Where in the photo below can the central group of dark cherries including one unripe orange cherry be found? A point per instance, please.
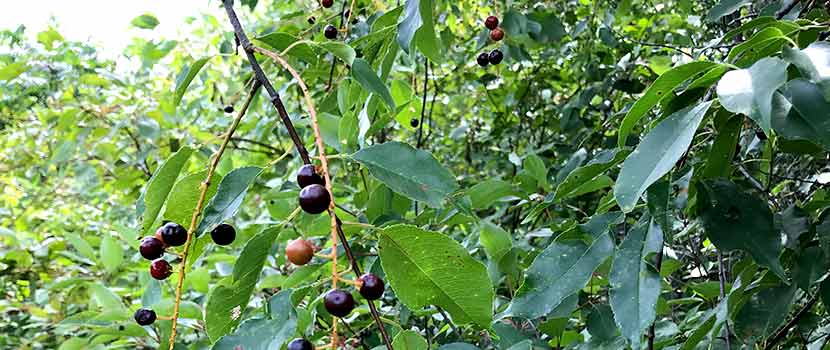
(314, 199)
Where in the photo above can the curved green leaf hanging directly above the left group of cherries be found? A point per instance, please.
(159, 186)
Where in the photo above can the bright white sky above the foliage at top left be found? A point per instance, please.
(105, 23)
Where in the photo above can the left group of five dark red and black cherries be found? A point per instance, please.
(152, 248)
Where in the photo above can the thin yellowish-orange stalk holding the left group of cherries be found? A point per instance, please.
(196, 212)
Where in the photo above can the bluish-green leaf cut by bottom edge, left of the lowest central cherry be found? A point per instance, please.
(259, 334)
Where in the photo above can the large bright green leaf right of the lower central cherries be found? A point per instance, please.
(429, 268)
